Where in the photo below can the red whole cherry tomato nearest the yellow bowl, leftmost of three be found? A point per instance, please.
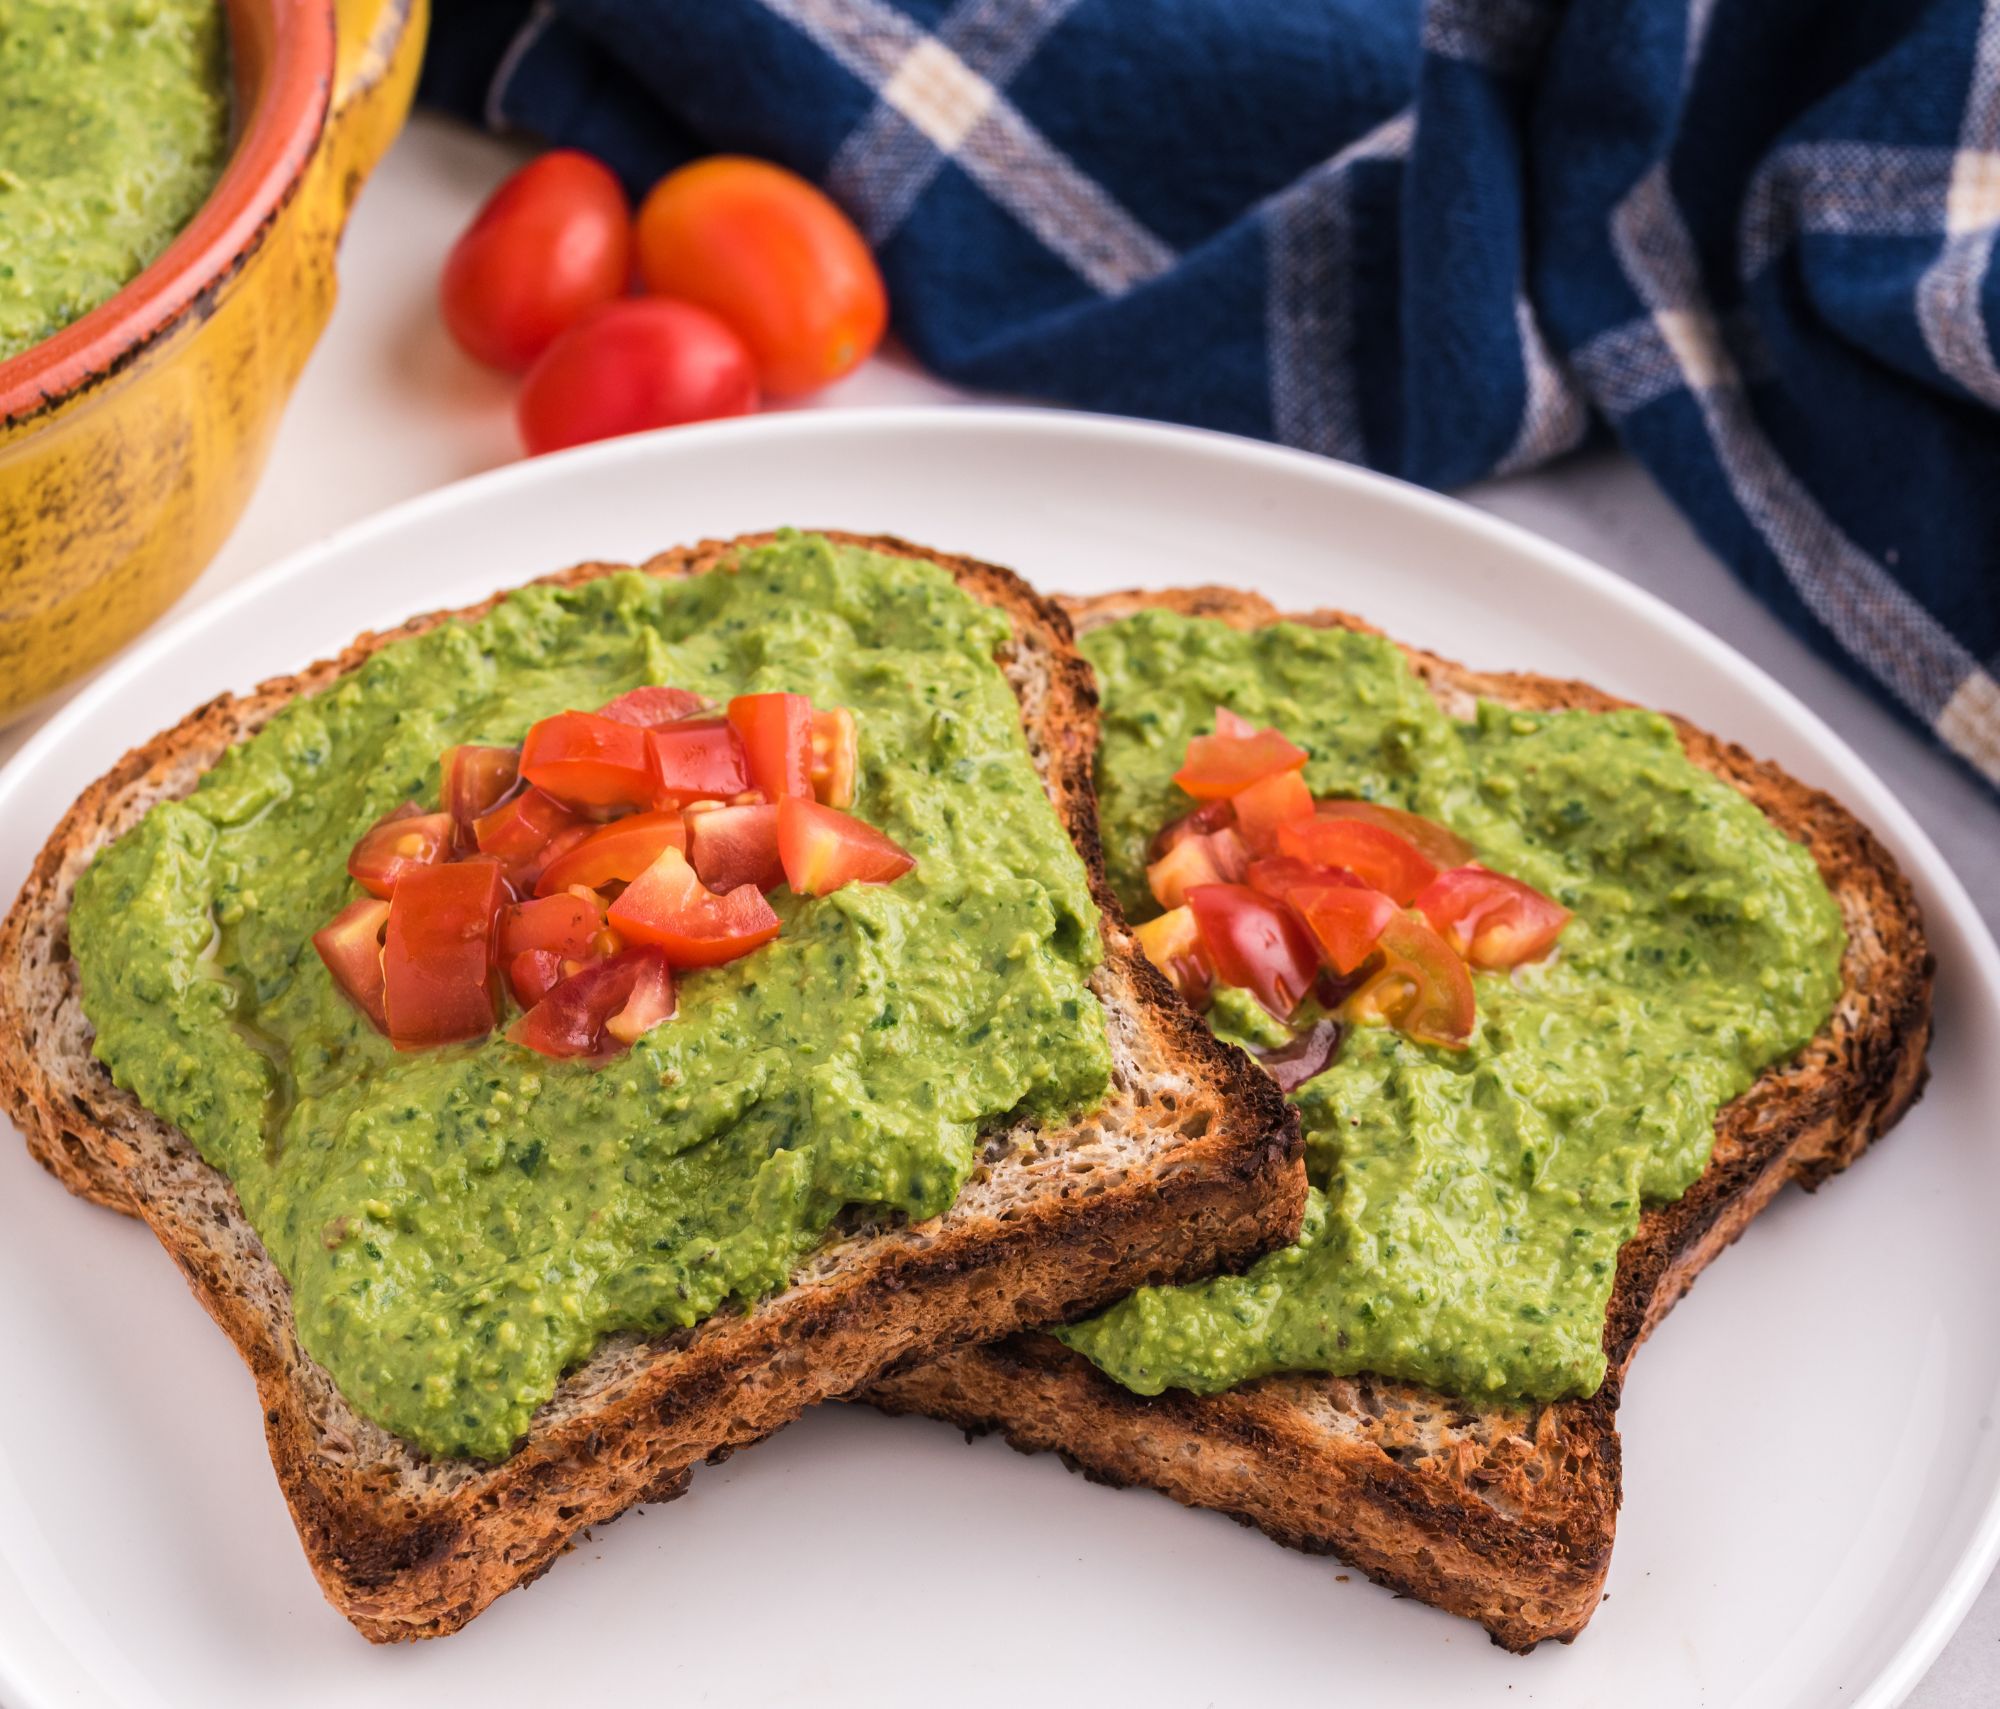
(551, 243)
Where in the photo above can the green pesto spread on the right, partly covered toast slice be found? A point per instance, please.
(1469, 1206)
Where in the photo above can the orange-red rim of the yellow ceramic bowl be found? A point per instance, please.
(281, 79)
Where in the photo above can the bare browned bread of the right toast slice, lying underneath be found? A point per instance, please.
(1501, 1514)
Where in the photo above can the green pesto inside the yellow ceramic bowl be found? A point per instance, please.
(115, 123)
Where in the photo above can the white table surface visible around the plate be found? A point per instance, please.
(389, 409)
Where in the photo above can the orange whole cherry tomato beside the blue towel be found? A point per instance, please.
(771, 255)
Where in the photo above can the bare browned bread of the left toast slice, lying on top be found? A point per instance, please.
(1191, 1166)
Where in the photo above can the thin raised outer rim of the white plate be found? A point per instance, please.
(1883, 809)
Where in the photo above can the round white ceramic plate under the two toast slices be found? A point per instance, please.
(1811, 1462)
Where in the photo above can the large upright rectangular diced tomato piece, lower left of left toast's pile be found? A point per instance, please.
(439, 954)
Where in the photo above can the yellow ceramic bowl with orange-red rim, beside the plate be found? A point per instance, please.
(131, 441)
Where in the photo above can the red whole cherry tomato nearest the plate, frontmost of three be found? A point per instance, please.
(629, 367)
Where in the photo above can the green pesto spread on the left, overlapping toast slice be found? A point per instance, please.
(463, 1226)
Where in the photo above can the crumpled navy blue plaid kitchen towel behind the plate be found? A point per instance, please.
(1751, 239)
